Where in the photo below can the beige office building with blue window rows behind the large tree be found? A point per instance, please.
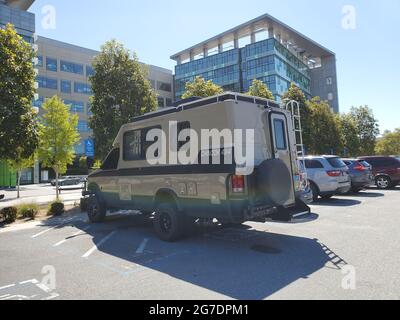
(64, 70)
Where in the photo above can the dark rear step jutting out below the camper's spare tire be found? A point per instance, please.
(299, 212)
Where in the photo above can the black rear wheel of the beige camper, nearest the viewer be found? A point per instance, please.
(168, 222)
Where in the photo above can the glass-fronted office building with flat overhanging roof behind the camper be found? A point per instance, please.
(264, 49)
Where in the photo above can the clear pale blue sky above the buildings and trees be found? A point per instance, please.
(367, 56)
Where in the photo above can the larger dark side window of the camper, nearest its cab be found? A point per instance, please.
(135, 144)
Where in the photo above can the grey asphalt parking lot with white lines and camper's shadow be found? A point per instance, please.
(350, 252)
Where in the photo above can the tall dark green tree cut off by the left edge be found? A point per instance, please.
(18, 128)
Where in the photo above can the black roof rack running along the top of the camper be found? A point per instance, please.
(201, 102)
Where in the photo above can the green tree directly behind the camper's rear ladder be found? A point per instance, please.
(296, 94)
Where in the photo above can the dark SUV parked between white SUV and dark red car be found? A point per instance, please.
(360, 173)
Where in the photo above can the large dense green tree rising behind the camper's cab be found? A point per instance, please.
(121, 92)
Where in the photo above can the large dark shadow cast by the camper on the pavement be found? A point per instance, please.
(239, 263)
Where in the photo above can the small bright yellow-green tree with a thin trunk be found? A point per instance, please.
(57, 137)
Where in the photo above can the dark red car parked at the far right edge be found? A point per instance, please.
(386, 171)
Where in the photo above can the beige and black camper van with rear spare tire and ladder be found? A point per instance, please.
(248, 176)
